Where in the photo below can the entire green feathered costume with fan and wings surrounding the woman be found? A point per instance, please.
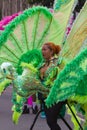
(30, 31)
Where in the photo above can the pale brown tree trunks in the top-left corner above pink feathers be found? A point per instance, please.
(9, 7)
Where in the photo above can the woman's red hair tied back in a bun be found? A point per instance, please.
(56, 48)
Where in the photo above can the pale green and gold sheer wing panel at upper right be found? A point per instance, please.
(76, 39)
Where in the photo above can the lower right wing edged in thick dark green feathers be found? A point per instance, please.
(72, 81)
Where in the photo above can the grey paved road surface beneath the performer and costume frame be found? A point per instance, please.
(25, 120)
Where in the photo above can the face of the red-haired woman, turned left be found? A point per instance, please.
(46, 52)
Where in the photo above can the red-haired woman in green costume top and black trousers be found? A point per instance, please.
(48, 72)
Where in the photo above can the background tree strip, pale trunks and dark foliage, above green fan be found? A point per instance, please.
(9, 7)
